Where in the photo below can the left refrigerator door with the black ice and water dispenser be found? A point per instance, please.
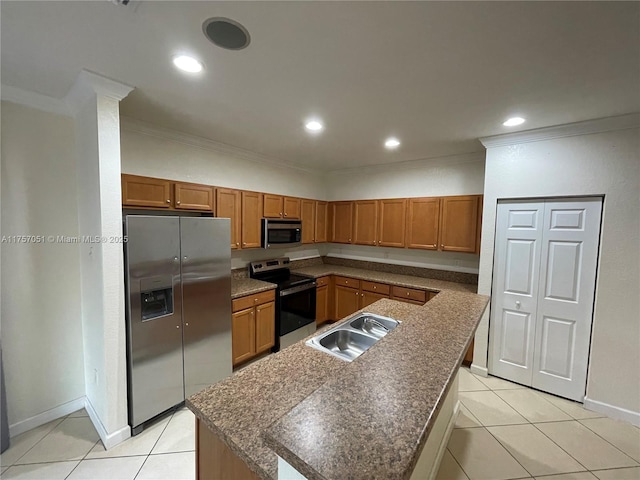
(154, 335)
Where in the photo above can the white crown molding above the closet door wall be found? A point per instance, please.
(599, 125)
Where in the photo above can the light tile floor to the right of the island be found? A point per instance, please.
(506, 431)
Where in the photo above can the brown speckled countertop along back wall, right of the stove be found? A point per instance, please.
(408, 281)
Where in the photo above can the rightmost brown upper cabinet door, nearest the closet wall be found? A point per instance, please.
(459, 224)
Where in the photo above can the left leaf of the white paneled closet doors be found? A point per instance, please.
(514, 300)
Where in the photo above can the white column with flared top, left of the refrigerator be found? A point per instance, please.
(94, 101)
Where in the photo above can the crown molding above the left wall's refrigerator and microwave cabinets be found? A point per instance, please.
(139, 126)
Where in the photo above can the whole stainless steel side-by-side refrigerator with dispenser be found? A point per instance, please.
(178, 294)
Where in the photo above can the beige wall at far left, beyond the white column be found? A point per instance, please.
(41, 322)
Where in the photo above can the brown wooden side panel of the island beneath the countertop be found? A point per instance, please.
(215, 460)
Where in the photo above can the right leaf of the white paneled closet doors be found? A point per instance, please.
(565, 296)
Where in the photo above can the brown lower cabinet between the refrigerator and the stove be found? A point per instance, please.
(252, 326)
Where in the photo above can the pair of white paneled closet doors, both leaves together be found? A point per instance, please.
(544, 282)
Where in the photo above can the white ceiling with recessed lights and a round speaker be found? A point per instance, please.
(437, 75)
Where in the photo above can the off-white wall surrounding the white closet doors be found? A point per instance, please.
(598, 164)
